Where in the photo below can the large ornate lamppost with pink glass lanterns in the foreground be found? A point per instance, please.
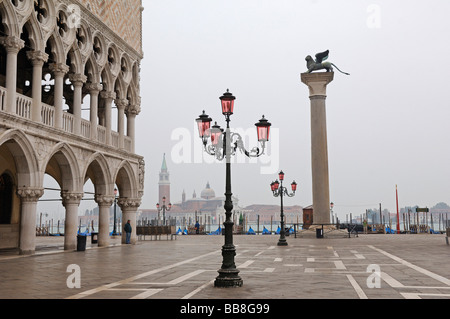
(224, 146)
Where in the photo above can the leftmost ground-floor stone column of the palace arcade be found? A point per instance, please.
(29, 197)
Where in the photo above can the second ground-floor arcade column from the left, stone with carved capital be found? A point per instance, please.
(71, 201)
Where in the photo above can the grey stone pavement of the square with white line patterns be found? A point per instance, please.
(410, 266)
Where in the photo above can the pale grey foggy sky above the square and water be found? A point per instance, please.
(387, 122)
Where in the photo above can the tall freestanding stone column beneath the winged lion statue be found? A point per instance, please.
(317, 84)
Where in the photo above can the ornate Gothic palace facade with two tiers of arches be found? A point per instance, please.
(64, 66)
